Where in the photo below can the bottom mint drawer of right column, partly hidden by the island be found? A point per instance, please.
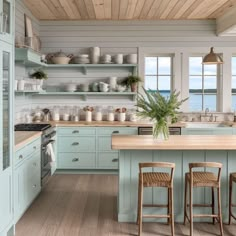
(108, 160)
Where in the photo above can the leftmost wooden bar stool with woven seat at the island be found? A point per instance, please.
(156, 179)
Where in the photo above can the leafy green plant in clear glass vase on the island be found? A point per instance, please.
(159, 109)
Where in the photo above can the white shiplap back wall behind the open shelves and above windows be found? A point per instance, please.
(121, 37)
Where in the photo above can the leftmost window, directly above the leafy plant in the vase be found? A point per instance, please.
(159, 74)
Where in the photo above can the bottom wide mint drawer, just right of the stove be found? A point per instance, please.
(76, 160)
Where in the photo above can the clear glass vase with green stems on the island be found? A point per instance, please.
(160, 129)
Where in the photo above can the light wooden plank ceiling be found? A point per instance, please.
(128, 9)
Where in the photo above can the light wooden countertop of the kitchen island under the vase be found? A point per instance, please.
(175, 142)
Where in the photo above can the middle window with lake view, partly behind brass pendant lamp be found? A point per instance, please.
(202, 85)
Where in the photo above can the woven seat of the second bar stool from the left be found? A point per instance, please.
(203, 179)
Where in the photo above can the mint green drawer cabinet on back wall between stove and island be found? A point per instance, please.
(89, 147)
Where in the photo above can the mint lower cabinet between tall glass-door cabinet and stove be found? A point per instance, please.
(27, 176)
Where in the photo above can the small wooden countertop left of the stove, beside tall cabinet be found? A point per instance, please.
(24, 137)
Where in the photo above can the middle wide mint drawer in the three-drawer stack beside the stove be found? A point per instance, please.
(76, 144)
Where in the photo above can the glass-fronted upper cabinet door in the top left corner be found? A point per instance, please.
(7, 20)
